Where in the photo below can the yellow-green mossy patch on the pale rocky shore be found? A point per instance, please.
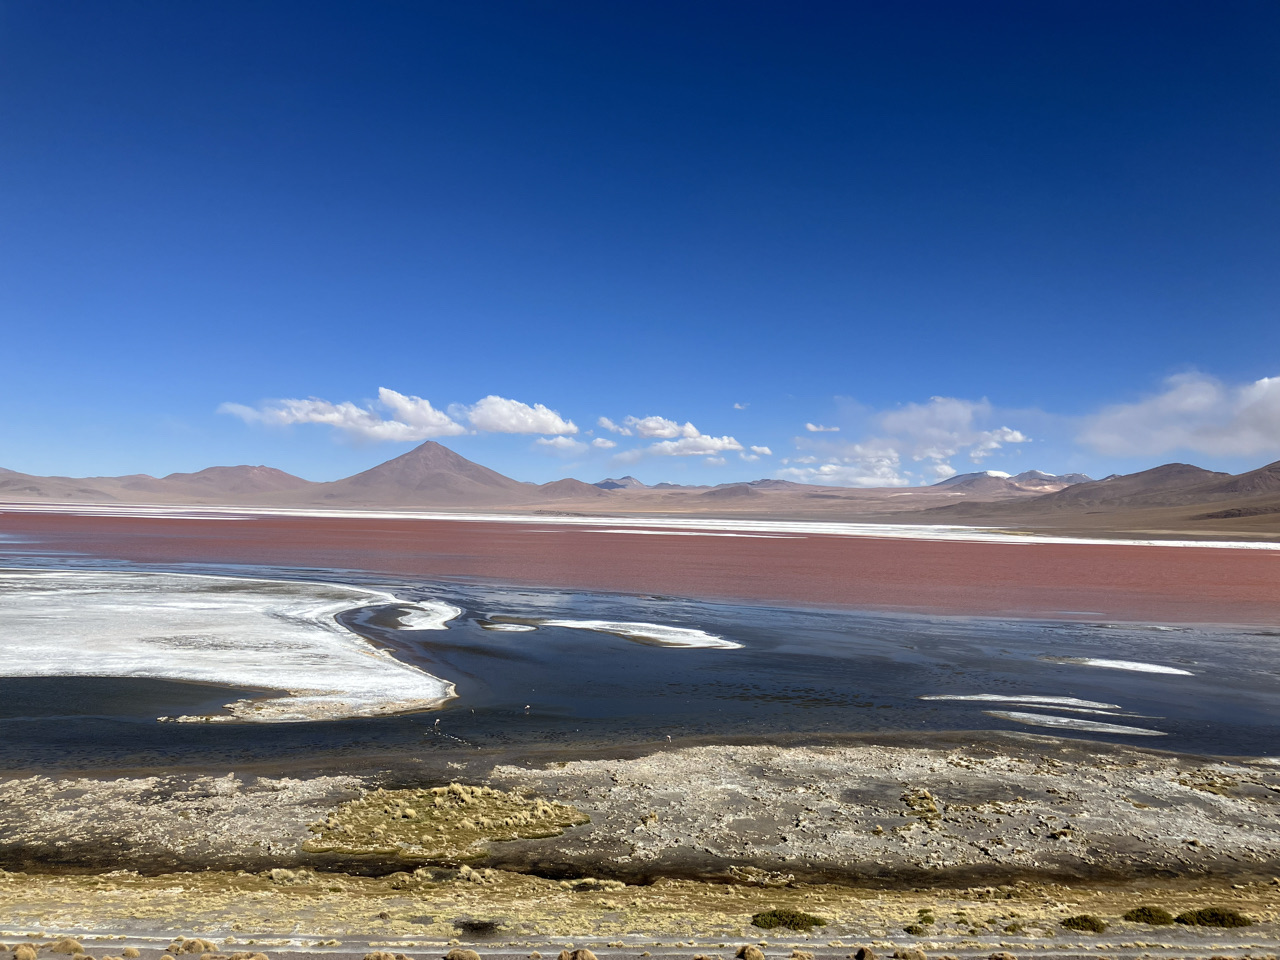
(446, 824)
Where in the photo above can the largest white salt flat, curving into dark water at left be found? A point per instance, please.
(276, 636)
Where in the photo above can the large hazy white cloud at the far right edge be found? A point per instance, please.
(1194, 413)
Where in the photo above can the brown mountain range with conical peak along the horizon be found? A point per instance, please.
(1167, 500)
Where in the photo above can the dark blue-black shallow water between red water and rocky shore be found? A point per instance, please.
(798, 673)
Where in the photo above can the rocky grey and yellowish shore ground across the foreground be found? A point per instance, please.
(948, 844)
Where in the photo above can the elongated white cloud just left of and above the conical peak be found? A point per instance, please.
(413, 418)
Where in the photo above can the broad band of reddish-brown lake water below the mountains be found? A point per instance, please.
(1121, 582)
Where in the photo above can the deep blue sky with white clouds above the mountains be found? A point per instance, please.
(970, 236)
